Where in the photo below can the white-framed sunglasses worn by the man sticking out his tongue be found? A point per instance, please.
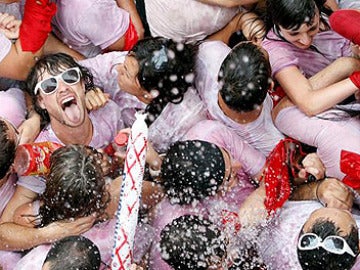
(48, 86)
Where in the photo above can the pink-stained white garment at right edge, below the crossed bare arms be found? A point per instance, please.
(330, 137)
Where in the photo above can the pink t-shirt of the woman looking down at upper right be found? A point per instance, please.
(329, 44)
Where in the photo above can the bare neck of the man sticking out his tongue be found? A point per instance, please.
(74, 135)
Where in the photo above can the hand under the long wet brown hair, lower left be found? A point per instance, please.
(60, 229)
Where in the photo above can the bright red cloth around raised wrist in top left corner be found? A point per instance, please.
(36, 24)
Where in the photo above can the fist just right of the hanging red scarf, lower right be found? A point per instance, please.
(312, 165)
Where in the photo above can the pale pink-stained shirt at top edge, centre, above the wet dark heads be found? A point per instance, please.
(186, 20)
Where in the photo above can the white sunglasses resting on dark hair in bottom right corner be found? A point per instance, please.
(333, 244)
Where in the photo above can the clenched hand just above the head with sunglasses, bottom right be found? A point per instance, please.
(333, 193)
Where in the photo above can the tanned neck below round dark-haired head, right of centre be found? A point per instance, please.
(239, 117)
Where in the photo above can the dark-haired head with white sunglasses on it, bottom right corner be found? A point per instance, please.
(320, 258)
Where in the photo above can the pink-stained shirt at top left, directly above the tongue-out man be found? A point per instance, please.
(89, 26)
